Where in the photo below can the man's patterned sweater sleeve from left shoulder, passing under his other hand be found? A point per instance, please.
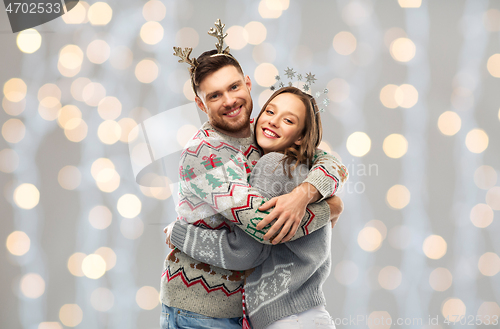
(213, 173)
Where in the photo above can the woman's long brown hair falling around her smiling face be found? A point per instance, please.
(311, 133)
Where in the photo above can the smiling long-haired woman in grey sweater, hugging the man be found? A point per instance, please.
(283, 289)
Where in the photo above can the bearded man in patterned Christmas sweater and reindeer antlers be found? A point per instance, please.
(214, 193)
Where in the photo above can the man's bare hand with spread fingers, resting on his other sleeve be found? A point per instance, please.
(289, 209)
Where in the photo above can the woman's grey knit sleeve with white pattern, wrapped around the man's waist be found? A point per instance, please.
(230, 250)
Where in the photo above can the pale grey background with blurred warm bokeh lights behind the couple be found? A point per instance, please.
(414, 115)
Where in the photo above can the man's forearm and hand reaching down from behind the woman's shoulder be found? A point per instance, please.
(325, 178)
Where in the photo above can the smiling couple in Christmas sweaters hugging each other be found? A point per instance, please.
(235, 257)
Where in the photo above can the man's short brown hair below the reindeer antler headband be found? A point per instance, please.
(208, 64)
